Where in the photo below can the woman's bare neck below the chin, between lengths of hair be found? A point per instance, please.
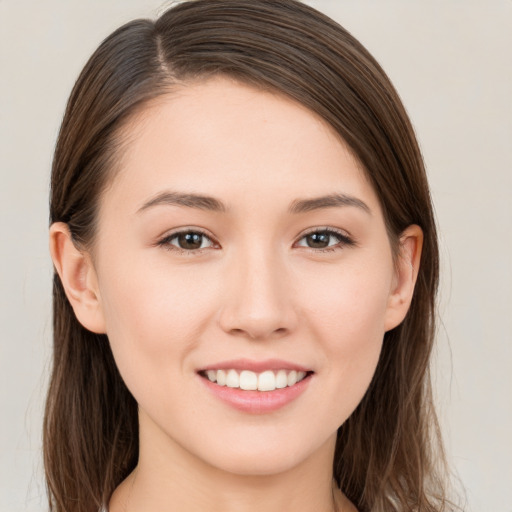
(168, 477)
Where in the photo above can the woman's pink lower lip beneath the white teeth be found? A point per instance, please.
(257, 402)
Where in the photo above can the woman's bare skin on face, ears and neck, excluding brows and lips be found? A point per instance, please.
(256, 290)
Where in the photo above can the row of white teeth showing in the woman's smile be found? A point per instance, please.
(248, 380)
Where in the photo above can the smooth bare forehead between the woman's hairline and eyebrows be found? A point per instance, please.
(233, 141)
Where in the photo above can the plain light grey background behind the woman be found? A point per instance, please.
(451, 61)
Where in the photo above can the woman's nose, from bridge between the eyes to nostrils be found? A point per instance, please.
(258, 300)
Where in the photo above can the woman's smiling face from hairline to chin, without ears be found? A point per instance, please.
(240, 235)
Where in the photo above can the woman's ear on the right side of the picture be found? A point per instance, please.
(406, 273)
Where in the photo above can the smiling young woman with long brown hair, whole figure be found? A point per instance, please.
(246, 269)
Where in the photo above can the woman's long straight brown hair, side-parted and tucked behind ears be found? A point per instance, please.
(388, 455)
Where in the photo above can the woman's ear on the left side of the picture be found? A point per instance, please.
(78, 278)
